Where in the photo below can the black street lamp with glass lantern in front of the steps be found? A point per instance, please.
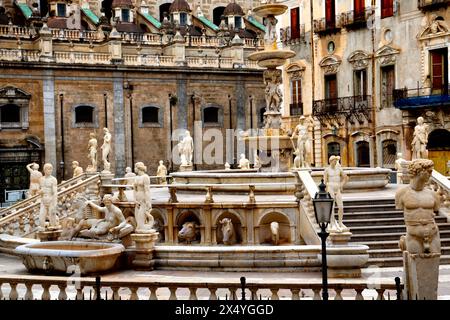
(323, 206)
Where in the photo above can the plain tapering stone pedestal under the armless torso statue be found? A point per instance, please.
(421, 276)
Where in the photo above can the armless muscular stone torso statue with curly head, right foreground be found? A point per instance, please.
(419, 205)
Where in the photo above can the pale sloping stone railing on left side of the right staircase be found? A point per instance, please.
(306, 190)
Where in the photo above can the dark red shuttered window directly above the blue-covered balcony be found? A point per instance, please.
(439, 70)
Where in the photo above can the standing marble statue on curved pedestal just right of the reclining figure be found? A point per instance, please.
(141, 187)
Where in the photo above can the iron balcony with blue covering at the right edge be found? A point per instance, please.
(406, 99)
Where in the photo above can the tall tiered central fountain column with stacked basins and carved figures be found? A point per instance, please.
(274, 145)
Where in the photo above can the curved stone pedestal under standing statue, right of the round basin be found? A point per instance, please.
(145, 245)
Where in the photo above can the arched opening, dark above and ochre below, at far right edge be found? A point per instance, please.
(439, 149)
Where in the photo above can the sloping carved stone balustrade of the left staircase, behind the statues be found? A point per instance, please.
(23, 221)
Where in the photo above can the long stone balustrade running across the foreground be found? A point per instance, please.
(30, 287)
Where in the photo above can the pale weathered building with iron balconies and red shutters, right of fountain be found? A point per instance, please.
(365, 73)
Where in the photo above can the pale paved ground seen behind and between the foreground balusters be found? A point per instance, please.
(372, 275)
